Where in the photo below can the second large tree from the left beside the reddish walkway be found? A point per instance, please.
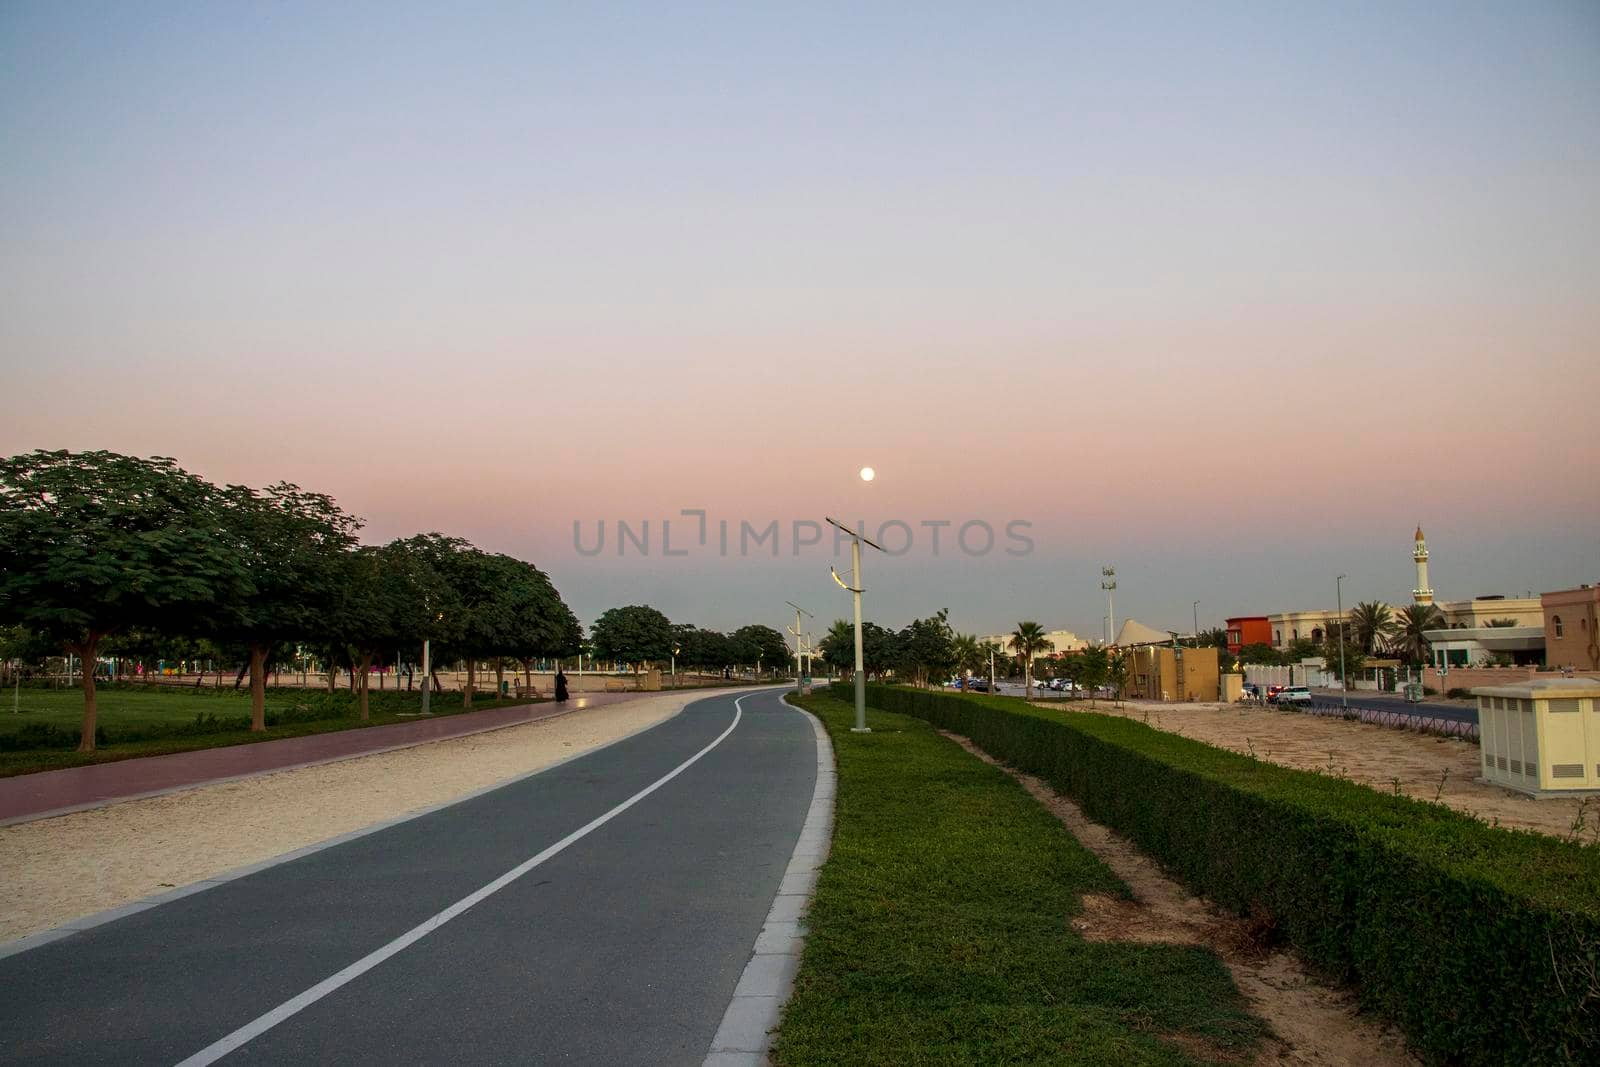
(294, 546)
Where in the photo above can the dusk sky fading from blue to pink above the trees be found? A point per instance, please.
(1226, 297)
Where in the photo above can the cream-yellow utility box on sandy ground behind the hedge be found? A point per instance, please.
(1543, 737)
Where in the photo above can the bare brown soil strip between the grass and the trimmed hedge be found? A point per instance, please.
(1313, 1025)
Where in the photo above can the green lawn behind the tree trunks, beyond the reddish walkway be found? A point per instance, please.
(153, 721)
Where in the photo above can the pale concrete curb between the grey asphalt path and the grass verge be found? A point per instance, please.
(745, 1036)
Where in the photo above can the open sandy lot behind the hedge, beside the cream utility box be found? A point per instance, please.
(1367, 754)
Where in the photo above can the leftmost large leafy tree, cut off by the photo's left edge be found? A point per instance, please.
(98, 543)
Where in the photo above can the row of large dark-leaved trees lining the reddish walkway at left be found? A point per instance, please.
(100, 545)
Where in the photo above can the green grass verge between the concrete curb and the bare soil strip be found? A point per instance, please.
(942, 933)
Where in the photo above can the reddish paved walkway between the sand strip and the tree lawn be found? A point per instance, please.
(44, 794)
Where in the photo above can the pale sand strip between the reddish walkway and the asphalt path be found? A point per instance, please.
(54, 871)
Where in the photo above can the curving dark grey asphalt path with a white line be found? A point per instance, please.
(598, 913)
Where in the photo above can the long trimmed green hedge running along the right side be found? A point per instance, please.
(1484, 945)
